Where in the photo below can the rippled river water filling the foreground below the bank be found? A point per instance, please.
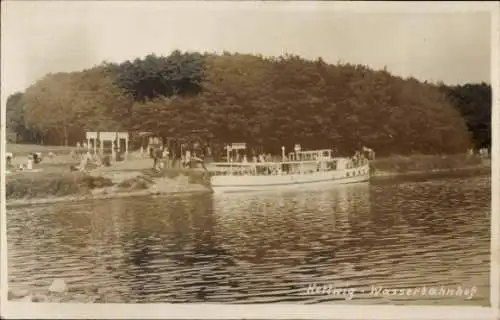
(264, 248)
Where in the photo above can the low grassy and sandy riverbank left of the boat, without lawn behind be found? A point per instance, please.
(61, 185)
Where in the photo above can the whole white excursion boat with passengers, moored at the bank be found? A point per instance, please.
(300, 169)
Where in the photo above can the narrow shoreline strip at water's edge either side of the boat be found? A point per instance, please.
(112, 193)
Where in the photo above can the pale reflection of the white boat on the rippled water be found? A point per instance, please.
(292, 223)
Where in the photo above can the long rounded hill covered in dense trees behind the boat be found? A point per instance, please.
(266, 102)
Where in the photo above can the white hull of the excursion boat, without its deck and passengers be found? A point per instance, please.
(247, 183)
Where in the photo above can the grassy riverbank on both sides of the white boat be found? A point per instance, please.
(133, 178)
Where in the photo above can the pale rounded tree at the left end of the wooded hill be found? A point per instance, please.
(64, 105)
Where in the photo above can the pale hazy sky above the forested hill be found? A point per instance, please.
(445, 44)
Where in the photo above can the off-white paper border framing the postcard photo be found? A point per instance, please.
(20, 310)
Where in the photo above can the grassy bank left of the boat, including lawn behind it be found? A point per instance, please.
(56, 183)
